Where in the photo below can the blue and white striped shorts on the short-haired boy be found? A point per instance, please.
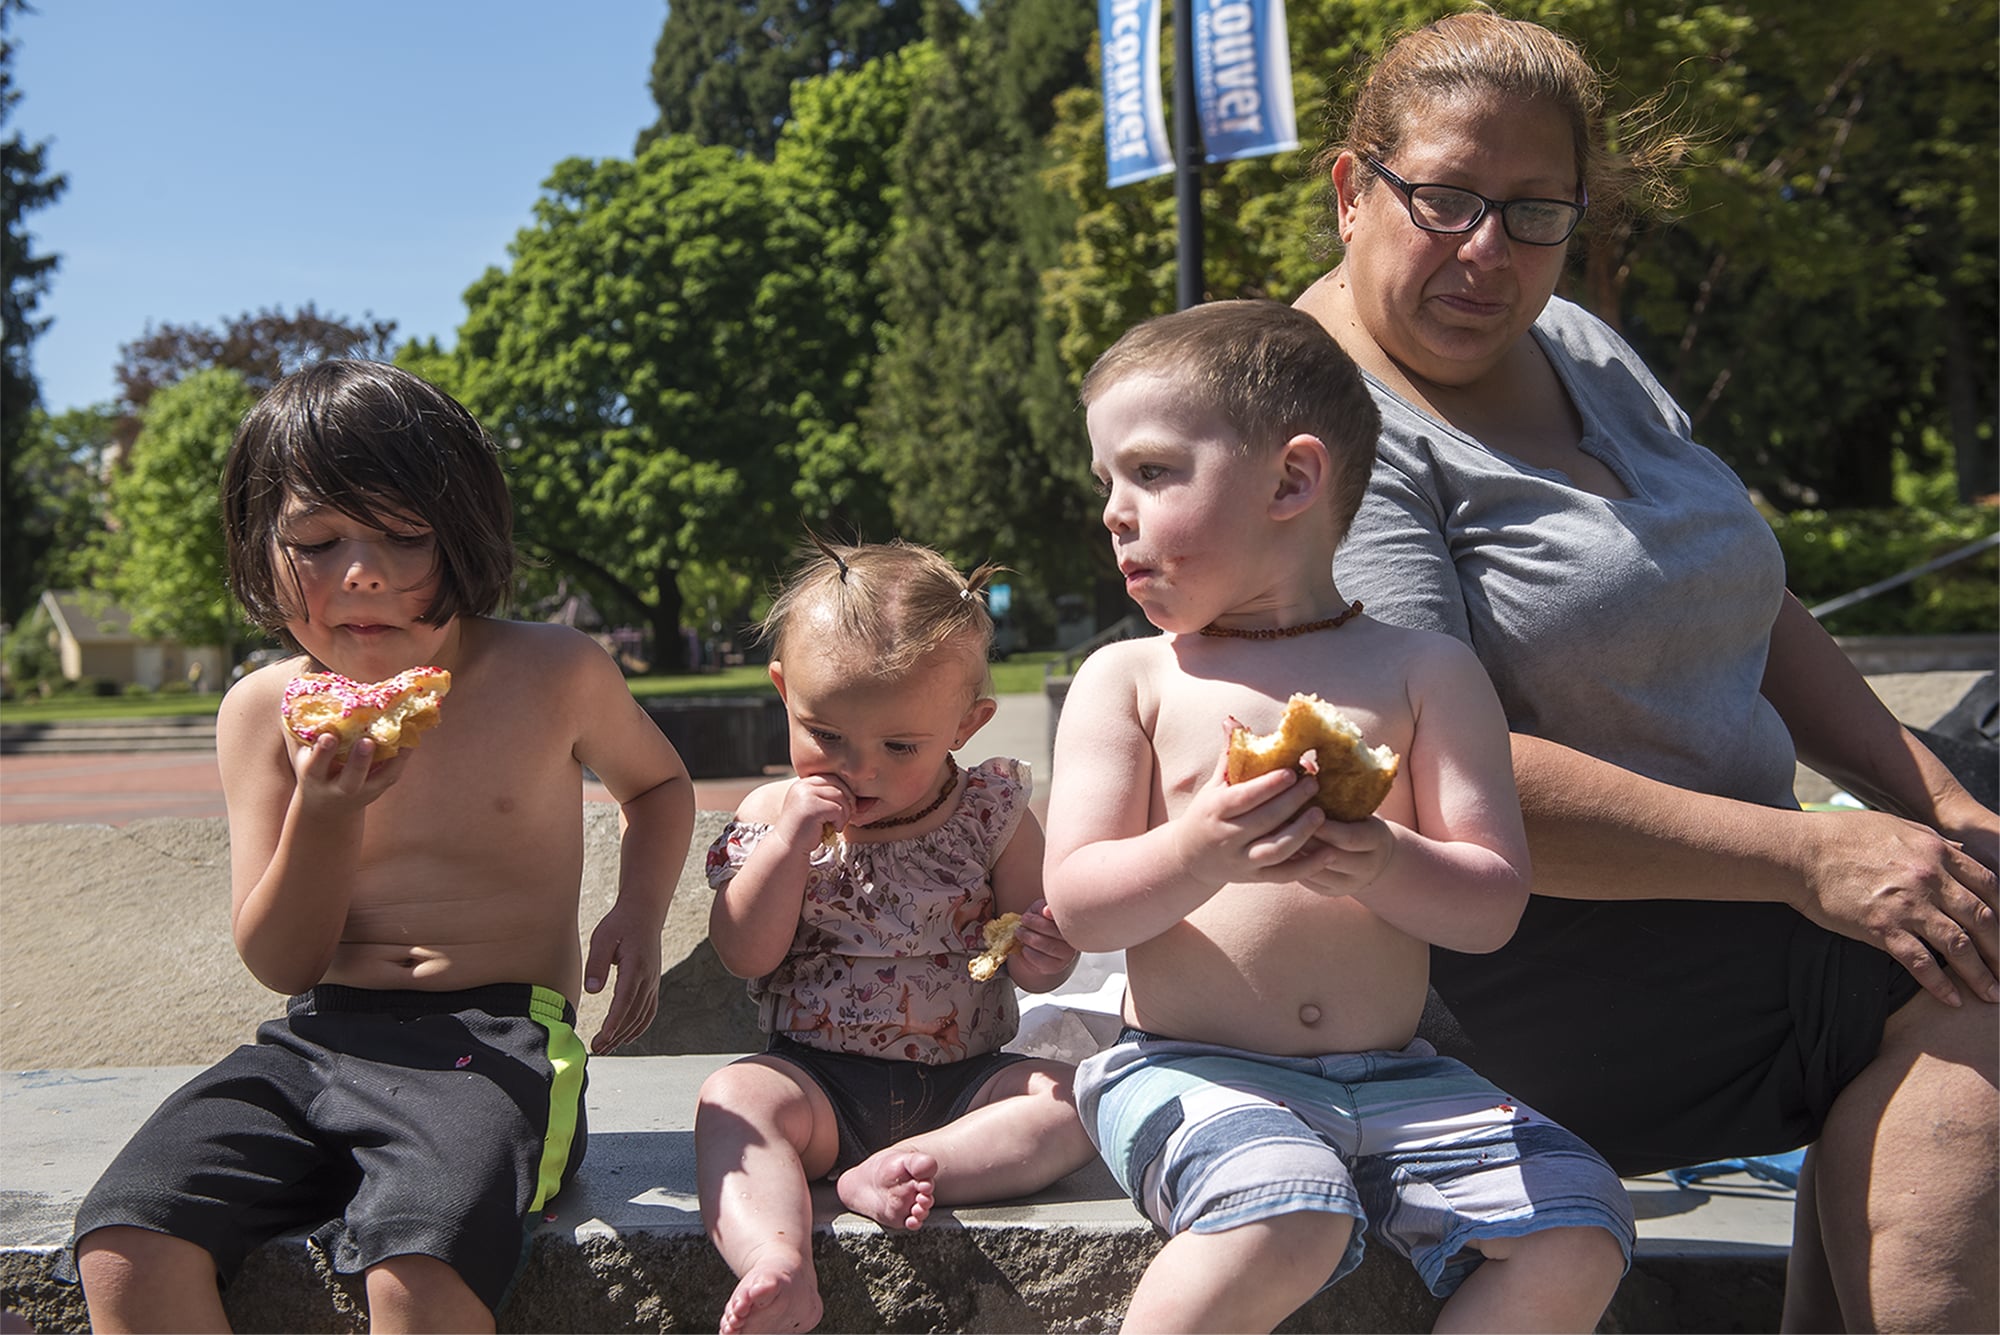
(1417, 1148)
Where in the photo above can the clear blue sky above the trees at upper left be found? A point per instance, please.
(369, 157)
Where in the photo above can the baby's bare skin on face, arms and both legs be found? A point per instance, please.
(867, 750)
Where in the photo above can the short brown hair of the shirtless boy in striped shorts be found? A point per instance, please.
(1271, 371)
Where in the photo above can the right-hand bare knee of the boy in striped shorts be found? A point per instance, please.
(1559, 1280)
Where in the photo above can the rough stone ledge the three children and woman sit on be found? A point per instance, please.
(625, 1248)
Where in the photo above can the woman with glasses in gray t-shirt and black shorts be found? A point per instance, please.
(1705, 972)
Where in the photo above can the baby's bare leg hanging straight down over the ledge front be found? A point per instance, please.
(763, 1132)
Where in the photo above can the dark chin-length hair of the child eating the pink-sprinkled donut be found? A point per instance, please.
(381, 447)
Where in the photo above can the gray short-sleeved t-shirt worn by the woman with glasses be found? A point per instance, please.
(1633, 631)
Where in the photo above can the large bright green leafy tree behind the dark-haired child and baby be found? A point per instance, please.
(679, 353)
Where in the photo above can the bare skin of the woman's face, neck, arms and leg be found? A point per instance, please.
(1445, 325)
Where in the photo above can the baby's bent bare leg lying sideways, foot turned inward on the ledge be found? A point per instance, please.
(1019, 1136)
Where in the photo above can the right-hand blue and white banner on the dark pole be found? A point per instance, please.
(1243, 79)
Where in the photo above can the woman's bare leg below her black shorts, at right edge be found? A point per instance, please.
(1905, 1178)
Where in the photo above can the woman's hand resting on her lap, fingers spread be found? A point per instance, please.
(1911, 892)
